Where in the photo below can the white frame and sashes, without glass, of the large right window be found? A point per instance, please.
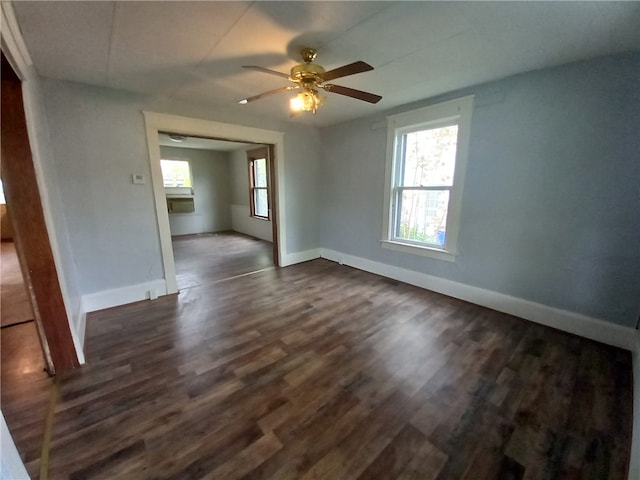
(458, 112)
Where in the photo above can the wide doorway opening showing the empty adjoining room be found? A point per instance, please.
(219, 203)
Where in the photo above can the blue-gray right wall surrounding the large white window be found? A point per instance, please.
(551, 209)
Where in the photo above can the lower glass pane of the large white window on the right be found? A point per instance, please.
(422, 216)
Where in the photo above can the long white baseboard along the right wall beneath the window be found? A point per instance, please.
(578, 324)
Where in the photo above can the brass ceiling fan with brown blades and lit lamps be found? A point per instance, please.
(309, 77)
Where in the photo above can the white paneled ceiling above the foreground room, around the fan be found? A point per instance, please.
(193, 51)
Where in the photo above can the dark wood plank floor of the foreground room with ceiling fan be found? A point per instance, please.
(321, 371)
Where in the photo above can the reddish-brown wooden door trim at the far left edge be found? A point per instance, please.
(30, 231)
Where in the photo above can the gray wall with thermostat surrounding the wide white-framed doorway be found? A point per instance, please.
(98, 141)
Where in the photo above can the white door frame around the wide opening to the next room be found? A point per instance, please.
(157, 122)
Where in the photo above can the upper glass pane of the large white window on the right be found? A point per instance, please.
(430, 157)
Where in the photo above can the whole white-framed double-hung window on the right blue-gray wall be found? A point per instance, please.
(426, 161)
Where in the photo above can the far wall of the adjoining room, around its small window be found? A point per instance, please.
(211, 192)
